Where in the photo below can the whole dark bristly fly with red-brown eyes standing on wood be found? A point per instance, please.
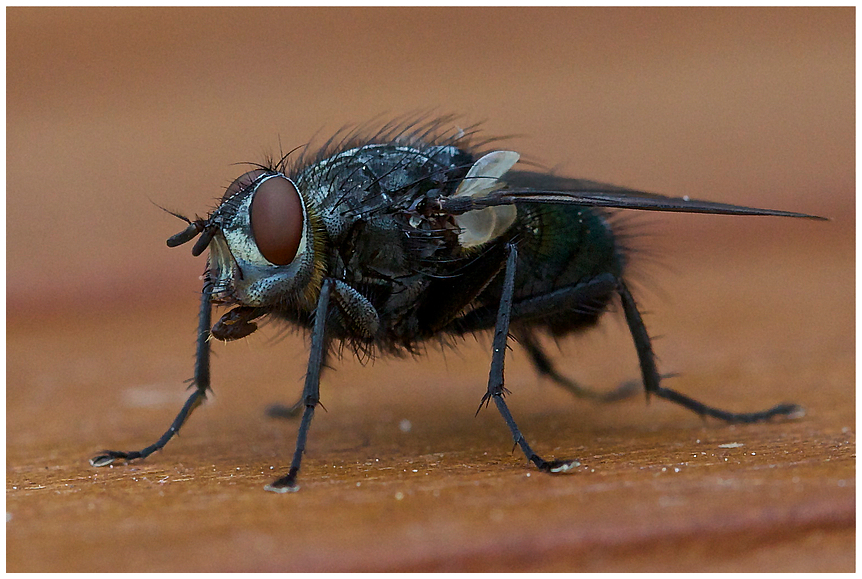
(414, 234)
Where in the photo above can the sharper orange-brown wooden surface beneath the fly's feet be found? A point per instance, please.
(658, 488)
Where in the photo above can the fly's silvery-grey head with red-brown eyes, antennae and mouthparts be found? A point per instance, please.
(262, 254)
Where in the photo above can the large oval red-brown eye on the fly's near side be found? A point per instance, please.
(276, 220)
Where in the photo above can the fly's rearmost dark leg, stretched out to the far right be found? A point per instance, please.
(652, 379)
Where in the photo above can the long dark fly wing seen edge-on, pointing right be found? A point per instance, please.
(530, 187)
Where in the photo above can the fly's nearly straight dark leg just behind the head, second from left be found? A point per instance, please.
(310, 393)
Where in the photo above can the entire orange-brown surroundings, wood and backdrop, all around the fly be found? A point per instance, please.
(110, 109)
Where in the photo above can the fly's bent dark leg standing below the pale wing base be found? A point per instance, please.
(496, 390)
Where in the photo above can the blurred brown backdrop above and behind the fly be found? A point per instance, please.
(112, 110)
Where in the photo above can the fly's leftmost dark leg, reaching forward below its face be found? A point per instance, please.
(201, 382)
